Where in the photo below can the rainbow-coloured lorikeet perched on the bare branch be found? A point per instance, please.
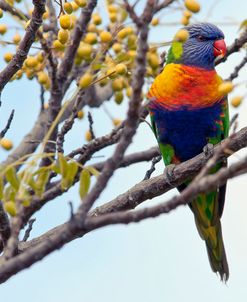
(187, 113)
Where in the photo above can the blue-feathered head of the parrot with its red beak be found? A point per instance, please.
(204, 45)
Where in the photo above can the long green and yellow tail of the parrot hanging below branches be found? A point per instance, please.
(205, 209)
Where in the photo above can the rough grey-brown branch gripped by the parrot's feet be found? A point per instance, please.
(150, 188)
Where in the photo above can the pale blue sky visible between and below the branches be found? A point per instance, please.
(161, 259)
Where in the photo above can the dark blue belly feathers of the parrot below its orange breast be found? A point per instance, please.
(186, 130)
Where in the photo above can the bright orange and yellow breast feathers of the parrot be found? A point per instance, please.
(179, 86)
